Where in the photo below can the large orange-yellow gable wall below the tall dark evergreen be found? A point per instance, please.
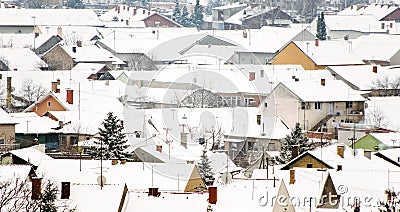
(291, 54)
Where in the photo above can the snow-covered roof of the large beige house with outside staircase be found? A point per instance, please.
(313, 91)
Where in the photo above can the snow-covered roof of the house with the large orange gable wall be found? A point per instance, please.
(329, 52)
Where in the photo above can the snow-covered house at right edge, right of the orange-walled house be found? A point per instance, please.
(378, 49)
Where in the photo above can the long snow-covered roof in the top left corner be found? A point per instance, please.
(29, 17)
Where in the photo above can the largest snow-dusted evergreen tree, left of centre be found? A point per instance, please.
(112, 139)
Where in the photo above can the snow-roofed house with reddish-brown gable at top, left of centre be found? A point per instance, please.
(127, 16)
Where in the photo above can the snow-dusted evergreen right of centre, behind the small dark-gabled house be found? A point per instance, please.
(296, 137)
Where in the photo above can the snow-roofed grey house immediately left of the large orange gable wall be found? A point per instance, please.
(265, 43)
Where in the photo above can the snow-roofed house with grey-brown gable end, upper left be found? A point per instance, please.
(66, 57)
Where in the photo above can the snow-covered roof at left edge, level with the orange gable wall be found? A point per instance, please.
(31, 61)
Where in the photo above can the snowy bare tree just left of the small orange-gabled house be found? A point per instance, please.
(32, 91)
